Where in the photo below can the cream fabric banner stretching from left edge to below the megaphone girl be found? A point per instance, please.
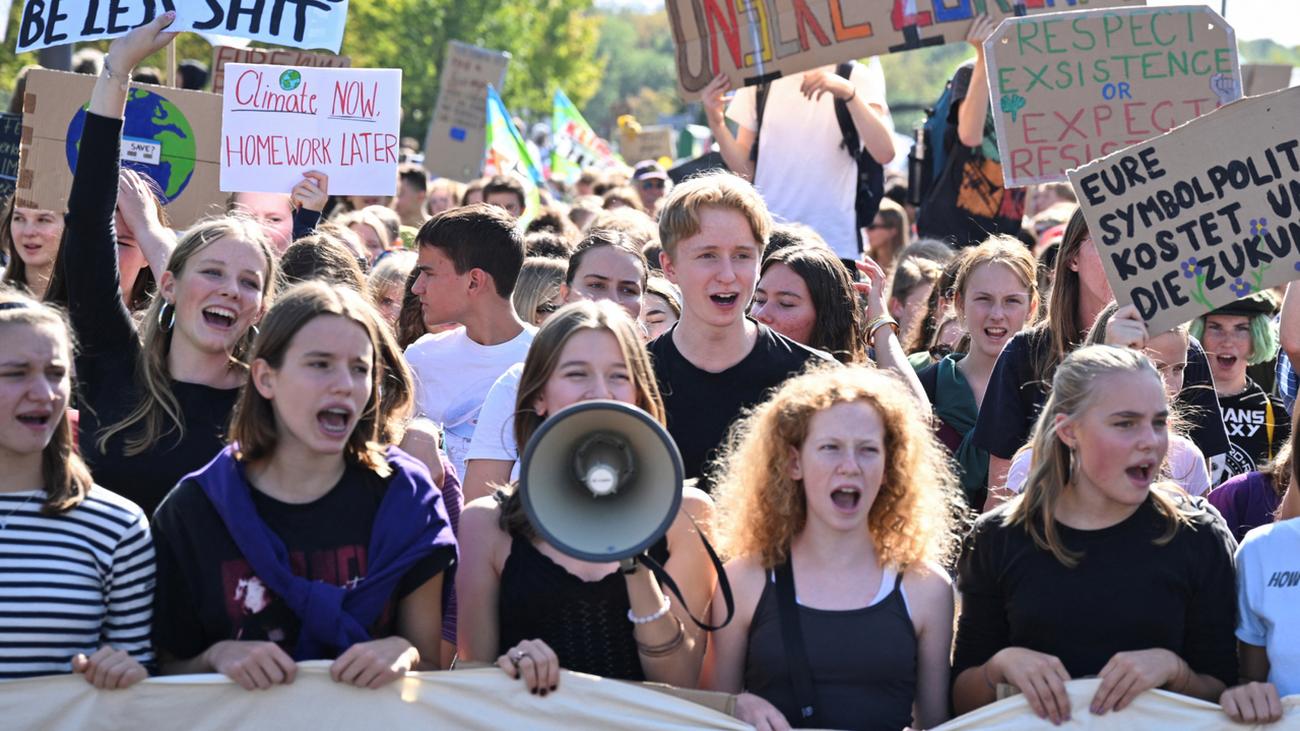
(463, 699)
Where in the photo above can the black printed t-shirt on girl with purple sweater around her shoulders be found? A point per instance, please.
(207, 592)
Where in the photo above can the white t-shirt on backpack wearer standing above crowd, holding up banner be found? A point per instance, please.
(804, 174)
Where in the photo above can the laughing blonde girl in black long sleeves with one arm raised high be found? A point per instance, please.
(155, 397)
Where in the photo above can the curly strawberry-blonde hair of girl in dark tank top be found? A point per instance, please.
(918, 513)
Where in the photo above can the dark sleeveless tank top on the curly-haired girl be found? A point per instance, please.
(864, 663)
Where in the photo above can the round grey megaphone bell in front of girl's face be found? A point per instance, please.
(601, 481)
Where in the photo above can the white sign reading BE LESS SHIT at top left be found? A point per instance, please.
(300, 24)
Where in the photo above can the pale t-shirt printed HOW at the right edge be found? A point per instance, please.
(1268, 599)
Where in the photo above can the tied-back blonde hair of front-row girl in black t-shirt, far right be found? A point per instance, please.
(1073, 390)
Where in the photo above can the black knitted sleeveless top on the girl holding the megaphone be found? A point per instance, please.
(584, 622)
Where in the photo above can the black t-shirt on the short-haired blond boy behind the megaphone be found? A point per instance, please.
(701, 405)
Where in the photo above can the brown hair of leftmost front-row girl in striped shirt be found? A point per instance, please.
(64, 477)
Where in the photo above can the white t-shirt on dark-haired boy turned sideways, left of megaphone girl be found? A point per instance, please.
(453, 375)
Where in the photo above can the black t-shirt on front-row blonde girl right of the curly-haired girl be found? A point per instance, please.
(1126, 594)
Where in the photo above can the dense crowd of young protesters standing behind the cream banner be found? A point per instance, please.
(933, 451)
